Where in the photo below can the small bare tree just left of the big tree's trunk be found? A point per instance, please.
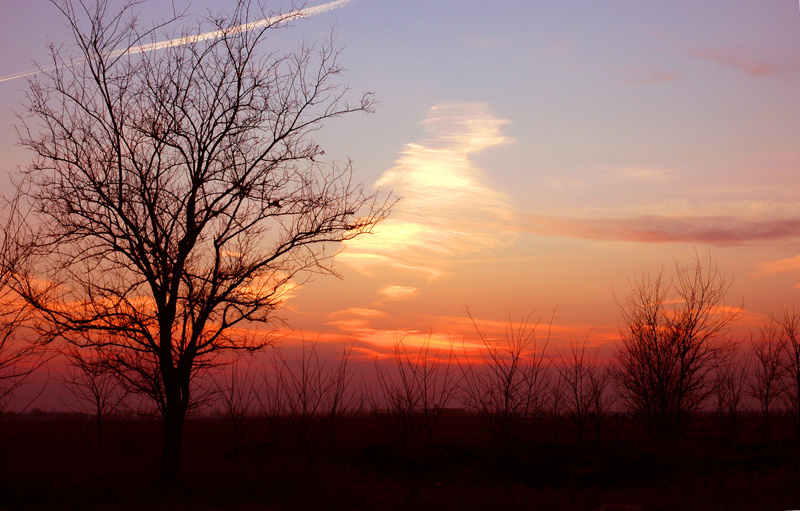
(91, 380)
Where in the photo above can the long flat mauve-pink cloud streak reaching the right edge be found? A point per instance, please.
(717, 230)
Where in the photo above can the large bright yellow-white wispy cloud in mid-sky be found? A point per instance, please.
(446, 207)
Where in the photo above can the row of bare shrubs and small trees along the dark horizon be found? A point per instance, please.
(513, 384)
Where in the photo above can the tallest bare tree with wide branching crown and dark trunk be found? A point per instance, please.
(178, 193)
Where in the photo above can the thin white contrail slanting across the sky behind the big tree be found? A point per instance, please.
(180, 41)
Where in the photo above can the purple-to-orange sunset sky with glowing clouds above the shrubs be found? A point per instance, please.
(545, 153)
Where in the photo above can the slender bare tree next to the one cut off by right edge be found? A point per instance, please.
(767, 374)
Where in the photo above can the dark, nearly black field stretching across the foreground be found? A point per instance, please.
(56, 464)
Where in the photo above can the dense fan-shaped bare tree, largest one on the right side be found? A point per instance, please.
(674, 330)
